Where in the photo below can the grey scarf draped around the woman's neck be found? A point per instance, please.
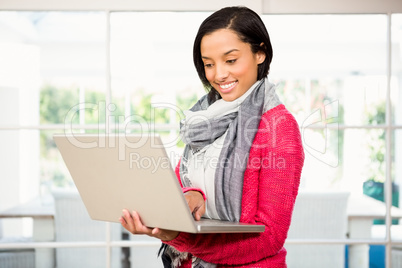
(241, 127)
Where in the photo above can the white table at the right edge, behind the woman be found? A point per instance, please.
(361, 211)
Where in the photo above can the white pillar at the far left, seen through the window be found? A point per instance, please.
(19, 106)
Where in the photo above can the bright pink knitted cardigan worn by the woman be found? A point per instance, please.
(271, 183)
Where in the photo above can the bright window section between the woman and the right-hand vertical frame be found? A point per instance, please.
(334, 81)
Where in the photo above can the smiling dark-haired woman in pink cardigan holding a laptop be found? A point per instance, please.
(243, 156)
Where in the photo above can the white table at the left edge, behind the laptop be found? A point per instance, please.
(43, 227)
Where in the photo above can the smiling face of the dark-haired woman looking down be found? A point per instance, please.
(230, 65)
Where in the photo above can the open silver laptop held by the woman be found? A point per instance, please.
(134, 172)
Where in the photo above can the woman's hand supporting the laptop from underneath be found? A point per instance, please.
(132, 223)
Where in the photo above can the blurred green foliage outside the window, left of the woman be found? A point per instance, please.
(57, 104)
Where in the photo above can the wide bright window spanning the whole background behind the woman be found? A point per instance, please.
(96, 71)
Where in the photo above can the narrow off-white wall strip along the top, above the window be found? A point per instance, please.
(265, 6)
